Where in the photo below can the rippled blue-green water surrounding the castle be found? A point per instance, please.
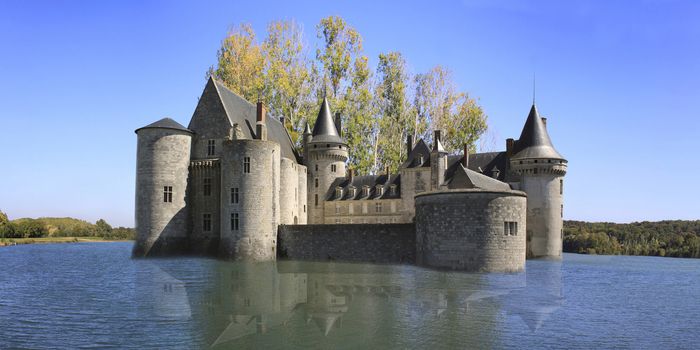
(92, 295)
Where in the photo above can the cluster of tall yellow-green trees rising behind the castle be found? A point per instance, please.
(379, 105)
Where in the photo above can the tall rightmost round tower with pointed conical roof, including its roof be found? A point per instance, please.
(541, 169)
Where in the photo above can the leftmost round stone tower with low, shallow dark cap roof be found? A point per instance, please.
(162, 160)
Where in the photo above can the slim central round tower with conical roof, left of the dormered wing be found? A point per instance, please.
(326, 154)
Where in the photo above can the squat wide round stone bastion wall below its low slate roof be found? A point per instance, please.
(468, 230)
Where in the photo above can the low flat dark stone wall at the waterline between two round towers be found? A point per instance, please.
(376, 243)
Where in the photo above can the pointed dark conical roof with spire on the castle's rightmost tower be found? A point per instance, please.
(534, 140)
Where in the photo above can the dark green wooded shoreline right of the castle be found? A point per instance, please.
(675, 238)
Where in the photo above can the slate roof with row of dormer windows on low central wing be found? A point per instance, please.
(366, 180)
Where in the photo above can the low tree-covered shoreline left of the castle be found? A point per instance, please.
(60, 227)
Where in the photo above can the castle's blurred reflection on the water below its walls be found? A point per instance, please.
(302, 304)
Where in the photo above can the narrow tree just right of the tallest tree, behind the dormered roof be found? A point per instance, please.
(393, 108)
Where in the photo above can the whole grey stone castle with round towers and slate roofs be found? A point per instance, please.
(232, 183)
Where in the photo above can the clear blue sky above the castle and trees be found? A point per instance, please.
(618, 80)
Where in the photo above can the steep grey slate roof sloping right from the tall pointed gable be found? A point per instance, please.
(242, 112)
